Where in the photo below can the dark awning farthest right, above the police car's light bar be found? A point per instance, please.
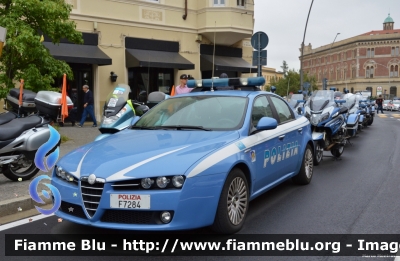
(226, 63)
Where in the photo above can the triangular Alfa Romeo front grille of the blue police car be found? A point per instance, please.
(91, 195)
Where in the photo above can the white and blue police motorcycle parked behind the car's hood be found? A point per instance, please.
(119, 110)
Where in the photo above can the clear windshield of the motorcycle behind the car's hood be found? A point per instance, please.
(117, 99)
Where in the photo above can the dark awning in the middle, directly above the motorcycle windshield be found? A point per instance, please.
(157, 59)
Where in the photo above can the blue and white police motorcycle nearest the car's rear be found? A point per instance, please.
(328, 122)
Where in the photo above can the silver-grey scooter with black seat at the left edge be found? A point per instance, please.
(20, 138)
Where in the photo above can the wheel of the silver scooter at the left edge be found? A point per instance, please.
(13, 171)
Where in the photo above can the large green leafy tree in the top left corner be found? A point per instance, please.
(24, 56)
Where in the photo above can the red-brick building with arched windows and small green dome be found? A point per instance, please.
(370, 61)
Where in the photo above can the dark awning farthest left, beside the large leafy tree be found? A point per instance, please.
(76, 53)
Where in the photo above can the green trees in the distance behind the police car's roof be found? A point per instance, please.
(292, 80)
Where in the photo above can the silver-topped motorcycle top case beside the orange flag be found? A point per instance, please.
(49, 103)
